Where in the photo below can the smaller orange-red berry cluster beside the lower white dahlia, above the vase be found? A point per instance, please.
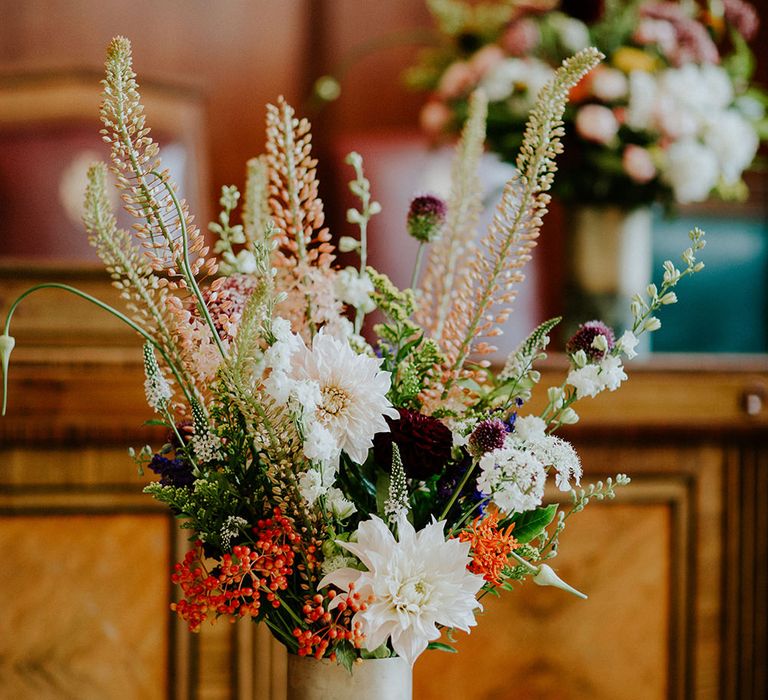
(327, 628)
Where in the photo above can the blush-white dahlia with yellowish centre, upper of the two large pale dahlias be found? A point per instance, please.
(353, 391)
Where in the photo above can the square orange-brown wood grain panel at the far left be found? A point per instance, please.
(90, 594)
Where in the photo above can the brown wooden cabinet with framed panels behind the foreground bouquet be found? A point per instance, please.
(675, 567)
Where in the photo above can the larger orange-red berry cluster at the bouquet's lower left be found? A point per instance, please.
(242, 581)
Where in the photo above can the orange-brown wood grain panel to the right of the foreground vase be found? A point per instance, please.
(554, 646)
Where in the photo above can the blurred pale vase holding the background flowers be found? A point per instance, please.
(609, 260)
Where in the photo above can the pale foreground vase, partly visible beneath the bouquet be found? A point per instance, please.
(371, 679)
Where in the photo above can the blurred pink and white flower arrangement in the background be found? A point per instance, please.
(670, 116)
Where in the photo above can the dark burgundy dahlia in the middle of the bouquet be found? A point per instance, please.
(424, 442)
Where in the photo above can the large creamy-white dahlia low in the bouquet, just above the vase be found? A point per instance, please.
(416, 583)
